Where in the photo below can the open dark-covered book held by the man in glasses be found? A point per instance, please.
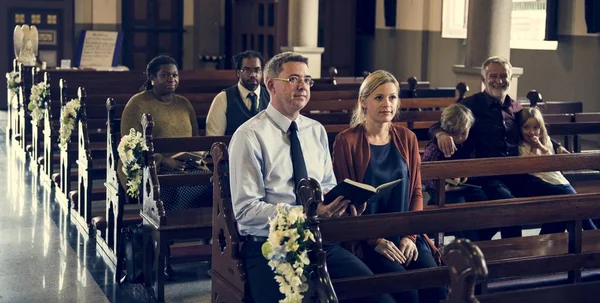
(359, 193)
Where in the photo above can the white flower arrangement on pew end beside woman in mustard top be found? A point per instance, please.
(131, 151)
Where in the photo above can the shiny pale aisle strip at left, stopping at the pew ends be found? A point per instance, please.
(37, 263)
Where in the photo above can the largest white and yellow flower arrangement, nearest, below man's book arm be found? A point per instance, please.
(287, 249)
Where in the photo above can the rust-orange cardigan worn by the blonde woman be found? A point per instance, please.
(351, 154)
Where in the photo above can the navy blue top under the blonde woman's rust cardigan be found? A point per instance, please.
(386, 165)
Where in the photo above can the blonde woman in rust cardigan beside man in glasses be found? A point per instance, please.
(376, 151)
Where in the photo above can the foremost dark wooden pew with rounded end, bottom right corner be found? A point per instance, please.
(467, 266)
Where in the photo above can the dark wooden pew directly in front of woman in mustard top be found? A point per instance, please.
(172, 225)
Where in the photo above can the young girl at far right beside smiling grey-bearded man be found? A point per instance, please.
(535, 141)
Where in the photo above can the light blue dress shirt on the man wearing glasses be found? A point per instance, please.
(260, 166)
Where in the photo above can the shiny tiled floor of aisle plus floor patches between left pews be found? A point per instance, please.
(44, 258)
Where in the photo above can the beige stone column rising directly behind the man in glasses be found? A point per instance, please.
(303, 30)
